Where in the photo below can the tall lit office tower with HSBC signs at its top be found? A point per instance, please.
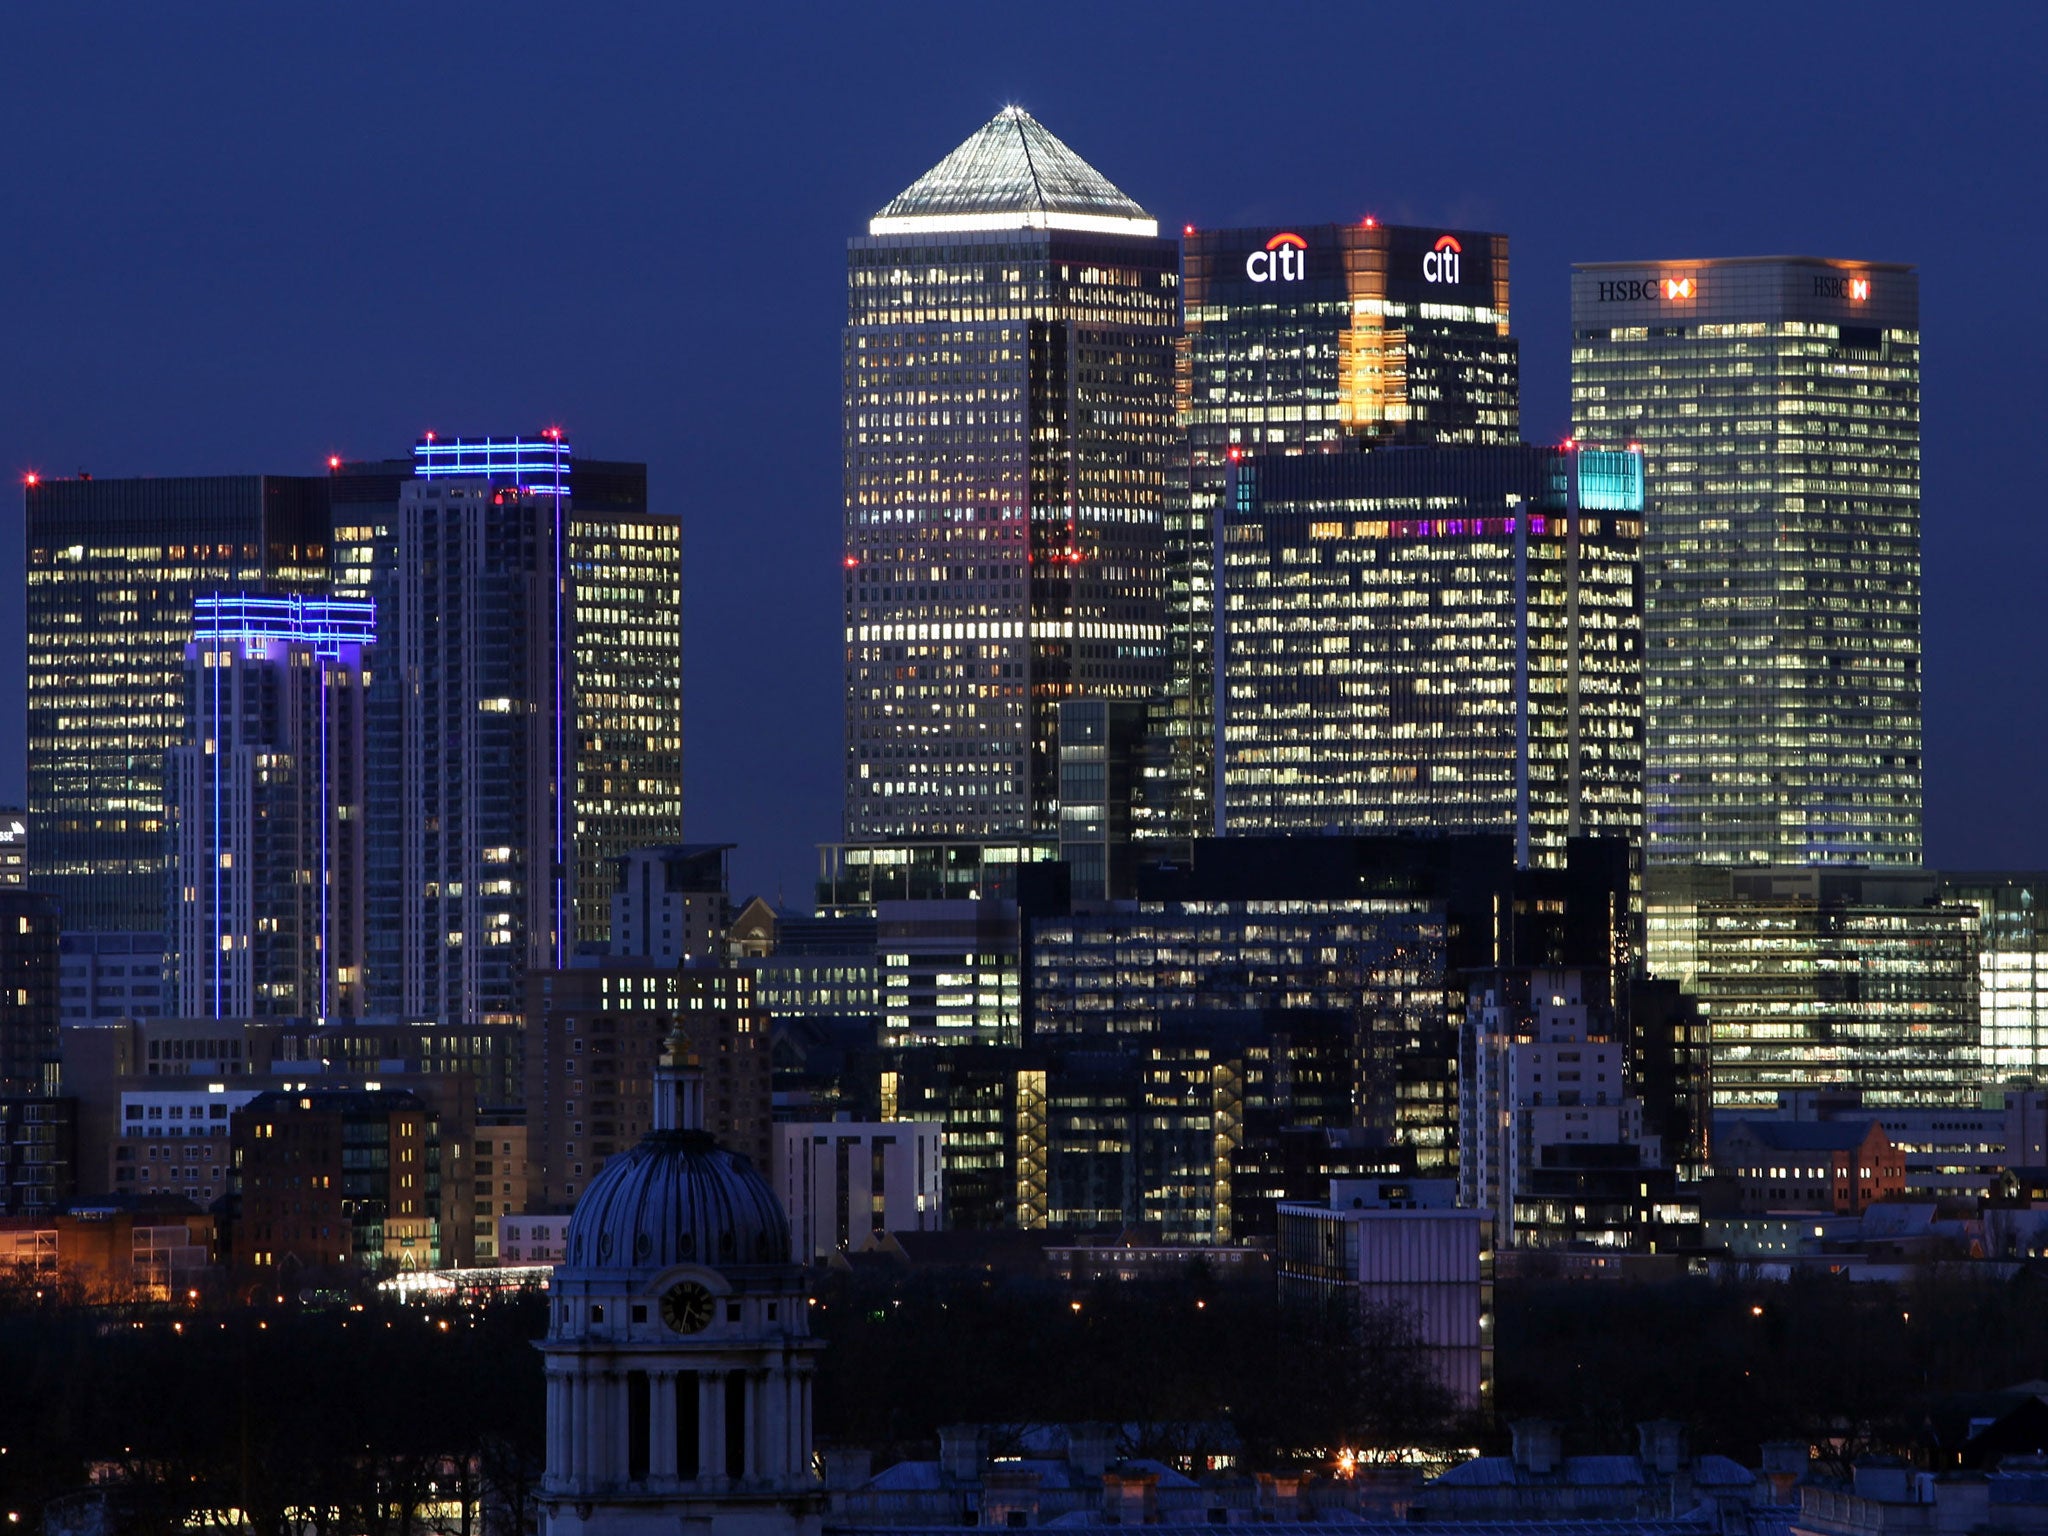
(1777, 402)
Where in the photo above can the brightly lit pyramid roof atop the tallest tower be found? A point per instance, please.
(1013, 175)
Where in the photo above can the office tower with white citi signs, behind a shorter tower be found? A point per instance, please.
(1314, 339)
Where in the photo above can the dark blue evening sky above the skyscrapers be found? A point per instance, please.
(245, 237)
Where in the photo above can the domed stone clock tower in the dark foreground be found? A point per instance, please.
(679, 1349)
